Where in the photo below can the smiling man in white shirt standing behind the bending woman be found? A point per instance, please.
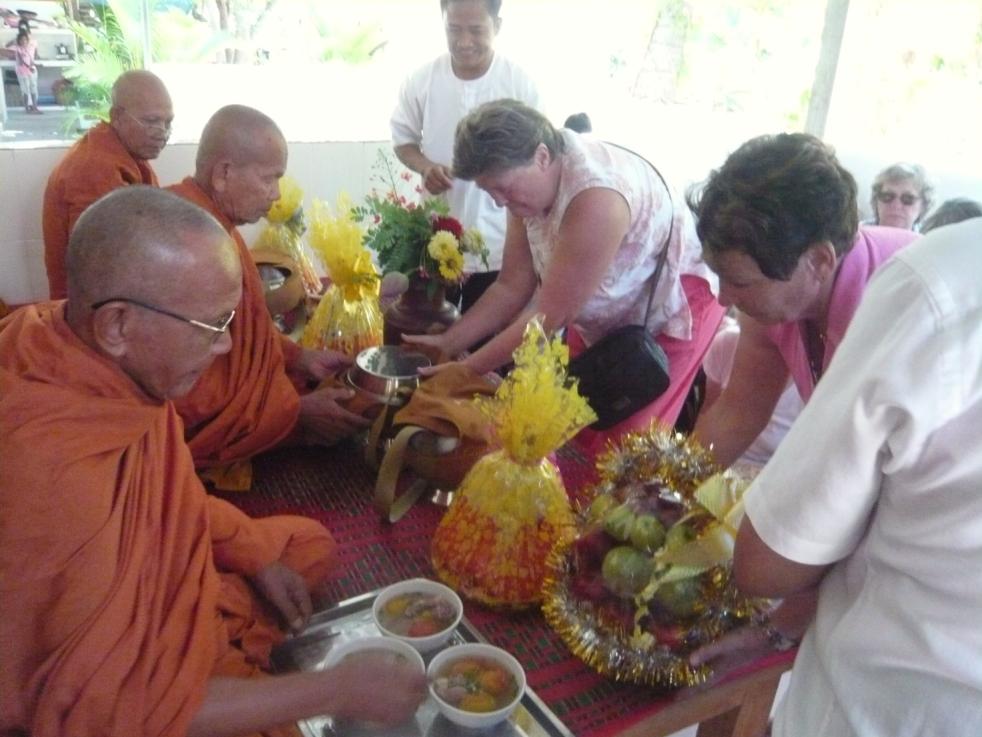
(433, 100)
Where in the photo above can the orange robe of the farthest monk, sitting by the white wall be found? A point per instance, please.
(97, 164)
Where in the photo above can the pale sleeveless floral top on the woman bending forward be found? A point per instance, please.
(623, 294)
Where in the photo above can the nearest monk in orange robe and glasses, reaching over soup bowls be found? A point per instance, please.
(131, 602)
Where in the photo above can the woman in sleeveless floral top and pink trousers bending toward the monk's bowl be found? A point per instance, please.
(587, 222)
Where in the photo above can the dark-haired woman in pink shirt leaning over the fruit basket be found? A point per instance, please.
(779, 226)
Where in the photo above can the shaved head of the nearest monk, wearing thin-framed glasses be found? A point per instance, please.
(153, 285)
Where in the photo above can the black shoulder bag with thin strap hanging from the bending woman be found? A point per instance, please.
(626, 369)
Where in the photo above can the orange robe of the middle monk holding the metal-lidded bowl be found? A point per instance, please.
(244, 403)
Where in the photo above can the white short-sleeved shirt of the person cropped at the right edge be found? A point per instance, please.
(882, 476)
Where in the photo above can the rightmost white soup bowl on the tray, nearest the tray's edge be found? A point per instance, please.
(476, 685)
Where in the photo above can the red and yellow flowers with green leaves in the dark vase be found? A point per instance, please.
(416, 239)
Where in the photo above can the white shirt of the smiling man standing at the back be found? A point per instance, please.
(431, 103)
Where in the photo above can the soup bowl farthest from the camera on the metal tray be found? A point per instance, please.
(418, 611)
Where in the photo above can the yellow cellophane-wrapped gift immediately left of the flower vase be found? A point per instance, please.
(348, 318)
